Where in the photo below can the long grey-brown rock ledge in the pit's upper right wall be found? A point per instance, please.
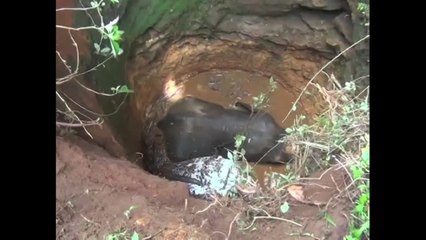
(302, 30)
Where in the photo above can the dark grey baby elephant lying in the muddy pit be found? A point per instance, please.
(195, 128)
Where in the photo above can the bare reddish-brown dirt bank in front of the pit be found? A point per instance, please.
(94, 189)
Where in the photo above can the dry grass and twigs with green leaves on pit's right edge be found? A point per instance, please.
(338, 137)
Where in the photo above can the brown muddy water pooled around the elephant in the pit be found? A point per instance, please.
(226, 87)
